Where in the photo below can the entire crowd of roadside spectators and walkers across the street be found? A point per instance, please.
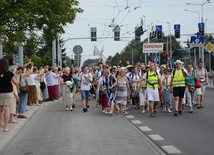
(113, 87)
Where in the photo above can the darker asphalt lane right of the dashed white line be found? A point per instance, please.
(192, 134)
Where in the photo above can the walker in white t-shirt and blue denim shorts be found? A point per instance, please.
(84, 84)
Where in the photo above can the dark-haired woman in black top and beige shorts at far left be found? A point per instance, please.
(6, 92)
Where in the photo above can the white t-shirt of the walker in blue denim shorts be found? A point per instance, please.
(85, 83)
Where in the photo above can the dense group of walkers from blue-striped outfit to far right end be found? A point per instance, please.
(146, 86)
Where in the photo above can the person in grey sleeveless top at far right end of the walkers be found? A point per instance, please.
(202, 76)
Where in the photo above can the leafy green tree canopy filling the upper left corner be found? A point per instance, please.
(18, 17)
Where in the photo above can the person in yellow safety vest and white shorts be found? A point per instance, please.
(153, 80)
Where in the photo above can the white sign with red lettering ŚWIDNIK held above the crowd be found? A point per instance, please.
(152, 47)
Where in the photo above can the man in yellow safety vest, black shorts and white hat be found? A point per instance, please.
(177, 86)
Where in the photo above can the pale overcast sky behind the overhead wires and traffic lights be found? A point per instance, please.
(130, 13)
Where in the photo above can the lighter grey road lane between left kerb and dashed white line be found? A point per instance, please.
(54, 131)
